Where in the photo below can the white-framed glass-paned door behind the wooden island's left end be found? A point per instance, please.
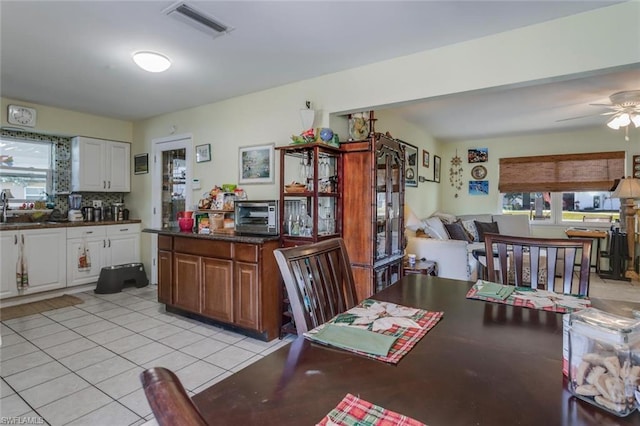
(171, 186)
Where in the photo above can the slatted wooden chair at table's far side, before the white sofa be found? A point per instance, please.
(550, 262)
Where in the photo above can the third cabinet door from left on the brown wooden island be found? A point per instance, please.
(217, 288)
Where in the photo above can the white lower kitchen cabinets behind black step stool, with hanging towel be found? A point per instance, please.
(108, 245)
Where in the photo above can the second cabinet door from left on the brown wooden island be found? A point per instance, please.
(186, 281)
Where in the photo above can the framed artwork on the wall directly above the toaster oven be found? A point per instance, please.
(256, 164)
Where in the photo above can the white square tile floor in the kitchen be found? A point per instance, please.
(79, 365)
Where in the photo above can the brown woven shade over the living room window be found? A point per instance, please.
(557, 173)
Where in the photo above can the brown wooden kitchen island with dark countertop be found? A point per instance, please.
(223, 278)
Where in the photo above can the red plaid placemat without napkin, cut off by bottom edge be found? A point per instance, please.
(353, 411)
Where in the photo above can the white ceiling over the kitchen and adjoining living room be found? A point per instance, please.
(77, 55)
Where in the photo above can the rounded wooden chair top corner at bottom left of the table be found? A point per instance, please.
(170, 403)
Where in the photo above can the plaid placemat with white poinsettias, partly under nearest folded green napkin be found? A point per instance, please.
(373, 315)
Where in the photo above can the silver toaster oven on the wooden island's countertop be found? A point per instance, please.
(257, 217)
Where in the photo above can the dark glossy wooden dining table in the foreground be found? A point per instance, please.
(484, 363)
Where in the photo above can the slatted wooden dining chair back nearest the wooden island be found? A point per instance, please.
(319, 281)
